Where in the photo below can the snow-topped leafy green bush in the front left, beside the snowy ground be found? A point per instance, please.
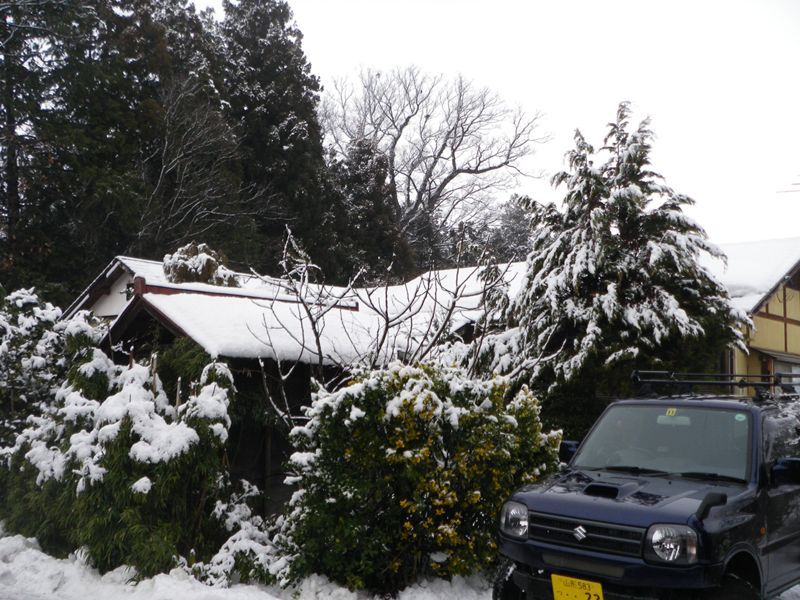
(134, 479)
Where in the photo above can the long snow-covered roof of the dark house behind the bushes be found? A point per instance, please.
(264, 319)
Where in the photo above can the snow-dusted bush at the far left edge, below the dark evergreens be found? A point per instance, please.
(40, 352)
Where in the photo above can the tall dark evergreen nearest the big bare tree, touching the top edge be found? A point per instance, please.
(273, 98)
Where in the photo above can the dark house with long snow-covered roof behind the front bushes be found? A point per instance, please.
(276, 335)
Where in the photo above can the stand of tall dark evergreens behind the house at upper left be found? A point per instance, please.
(135, 126)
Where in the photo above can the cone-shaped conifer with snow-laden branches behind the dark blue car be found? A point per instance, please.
(613, 274)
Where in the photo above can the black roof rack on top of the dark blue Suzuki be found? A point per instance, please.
(763, 384)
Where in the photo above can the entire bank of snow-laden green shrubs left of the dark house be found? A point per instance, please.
(103, 460)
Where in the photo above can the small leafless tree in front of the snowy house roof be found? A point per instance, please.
(354, 329)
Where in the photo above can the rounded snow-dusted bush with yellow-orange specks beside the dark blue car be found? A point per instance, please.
(402, 474)
